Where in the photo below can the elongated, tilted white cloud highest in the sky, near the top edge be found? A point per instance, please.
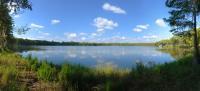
(114, 9)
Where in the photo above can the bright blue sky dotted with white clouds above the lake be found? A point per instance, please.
(95, 20)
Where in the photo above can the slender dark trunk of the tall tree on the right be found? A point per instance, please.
(196, 42)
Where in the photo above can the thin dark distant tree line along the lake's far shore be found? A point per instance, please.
(27, 42)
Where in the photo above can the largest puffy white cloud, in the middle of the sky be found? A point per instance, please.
(102, 24)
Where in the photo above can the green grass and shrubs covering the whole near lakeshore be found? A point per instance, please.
(17, 73)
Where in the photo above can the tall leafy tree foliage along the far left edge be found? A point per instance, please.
(6, 21)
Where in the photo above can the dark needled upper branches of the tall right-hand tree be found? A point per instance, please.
(182, 13)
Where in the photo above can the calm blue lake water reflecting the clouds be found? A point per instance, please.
(94, 56)
